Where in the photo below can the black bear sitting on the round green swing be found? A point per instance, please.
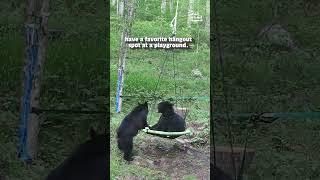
(169, 120)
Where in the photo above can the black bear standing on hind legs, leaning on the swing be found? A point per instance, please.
(129, 127)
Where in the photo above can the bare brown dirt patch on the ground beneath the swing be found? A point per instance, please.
(176, 157)
